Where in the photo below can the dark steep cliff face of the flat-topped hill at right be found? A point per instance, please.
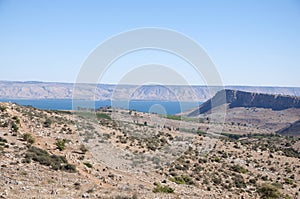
(246, 99)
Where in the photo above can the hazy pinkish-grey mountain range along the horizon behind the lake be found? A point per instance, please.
(47, 90)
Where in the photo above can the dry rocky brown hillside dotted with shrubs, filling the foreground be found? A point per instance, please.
(117, 153)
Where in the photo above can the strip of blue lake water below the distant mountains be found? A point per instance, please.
(160, 107)
